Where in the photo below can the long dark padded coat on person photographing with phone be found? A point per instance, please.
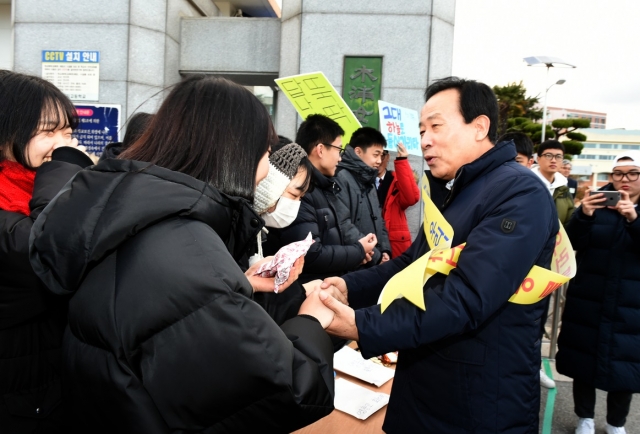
(600, 339)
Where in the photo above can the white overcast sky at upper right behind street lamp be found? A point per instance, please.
(602, 38)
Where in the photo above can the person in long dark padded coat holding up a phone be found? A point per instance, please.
(599, 341)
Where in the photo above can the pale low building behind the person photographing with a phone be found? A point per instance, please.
(601, 147)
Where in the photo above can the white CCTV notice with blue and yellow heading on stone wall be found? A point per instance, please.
(75, 73)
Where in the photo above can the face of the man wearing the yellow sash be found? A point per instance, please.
(447, 141)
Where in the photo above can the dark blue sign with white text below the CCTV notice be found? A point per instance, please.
(98, 126)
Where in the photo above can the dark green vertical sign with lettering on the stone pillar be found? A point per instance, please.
(361, 86)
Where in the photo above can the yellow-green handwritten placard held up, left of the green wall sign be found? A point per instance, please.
(313, 94)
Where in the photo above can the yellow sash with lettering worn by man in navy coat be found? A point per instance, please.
(442, 258)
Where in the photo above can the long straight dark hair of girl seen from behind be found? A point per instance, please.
(212, 129)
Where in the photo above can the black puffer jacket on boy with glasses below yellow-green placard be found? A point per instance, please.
(322, 213)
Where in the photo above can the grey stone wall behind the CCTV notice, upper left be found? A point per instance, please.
(138, 40)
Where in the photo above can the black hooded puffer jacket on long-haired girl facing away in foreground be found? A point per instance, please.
(163, 335)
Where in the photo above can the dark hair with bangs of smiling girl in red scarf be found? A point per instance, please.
(28, 105)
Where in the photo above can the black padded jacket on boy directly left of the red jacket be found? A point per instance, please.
(358, 193)
